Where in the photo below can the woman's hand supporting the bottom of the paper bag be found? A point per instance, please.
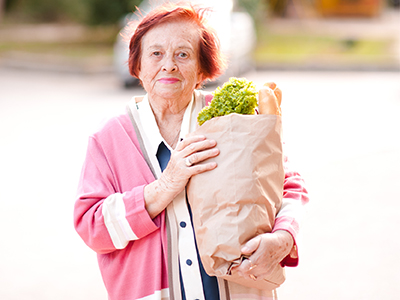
(265, 252)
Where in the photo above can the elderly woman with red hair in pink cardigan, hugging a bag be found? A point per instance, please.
(138, 164)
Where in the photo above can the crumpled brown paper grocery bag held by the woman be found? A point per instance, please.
(240, 198)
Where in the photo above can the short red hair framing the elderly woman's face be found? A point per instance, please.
(210, 57)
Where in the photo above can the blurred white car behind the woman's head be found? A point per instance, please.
(235, 30)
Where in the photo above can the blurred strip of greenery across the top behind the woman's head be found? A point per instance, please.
(80, 35)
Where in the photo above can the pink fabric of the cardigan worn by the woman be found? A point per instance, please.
(140, 269)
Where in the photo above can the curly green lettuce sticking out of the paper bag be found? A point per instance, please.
(238, 95)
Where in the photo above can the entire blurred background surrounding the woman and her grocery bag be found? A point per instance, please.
(63, 71)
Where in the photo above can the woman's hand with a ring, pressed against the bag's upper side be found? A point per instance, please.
(183, 164)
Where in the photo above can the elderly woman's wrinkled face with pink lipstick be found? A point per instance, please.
(169, 66)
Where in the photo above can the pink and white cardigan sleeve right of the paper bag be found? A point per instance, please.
(295, 197)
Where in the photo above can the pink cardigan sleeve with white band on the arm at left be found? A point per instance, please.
(108, 214)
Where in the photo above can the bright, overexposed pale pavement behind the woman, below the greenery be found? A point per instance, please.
(341, 130)
